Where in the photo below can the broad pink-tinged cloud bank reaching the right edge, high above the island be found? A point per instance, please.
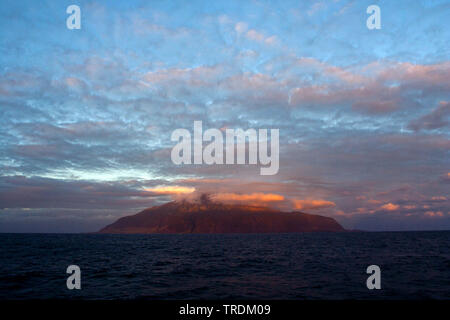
(389, 88)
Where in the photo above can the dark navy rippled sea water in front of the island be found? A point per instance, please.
(414, 265)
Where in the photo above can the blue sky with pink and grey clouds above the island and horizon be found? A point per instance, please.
(86, 115)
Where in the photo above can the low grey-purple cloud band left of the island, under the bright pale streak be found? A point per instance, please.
(44, 193)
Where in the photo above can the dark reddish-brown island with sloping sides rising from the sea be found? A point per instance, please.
(184, 217)
